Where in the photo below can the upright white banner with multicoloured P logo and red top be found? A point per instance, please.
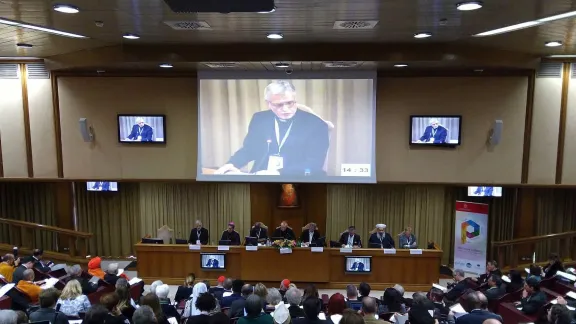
(471, 239)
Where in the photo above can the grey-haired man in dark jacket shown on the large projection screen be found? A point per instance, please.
(283, 140)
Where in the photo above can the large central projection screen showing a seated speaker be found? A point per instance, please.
(274, 127)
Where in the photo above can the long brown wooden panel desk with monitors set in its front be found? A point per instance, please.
(172, 262)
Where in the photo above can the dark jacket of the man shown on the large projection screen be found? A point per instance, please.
(305, 148)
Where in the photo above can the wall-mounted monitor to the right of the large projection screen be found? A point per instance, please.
(435, 130)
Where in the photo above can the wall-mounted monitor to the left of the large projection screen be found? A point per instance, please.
(141, 128)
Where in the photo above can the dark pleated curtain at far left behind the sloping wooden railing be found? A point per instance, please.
(30, 202)
